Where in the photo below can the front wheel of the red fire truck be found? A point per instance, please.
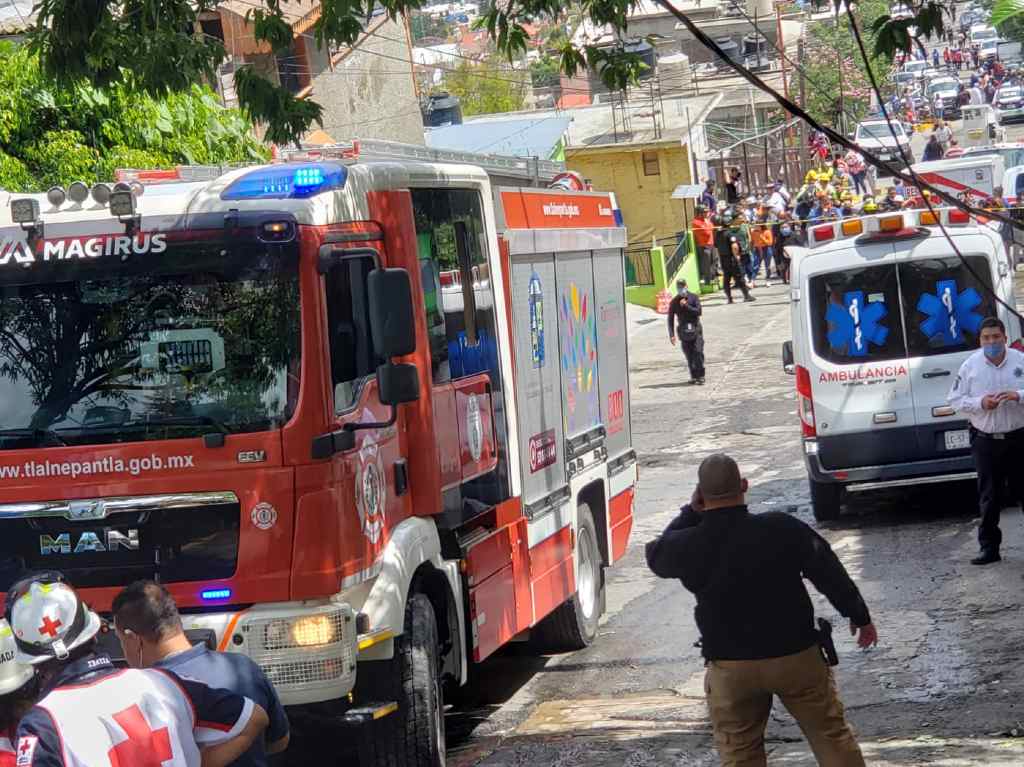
(414, 736)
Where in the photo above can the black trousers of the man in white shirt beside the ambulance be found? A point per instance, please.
(998, 463)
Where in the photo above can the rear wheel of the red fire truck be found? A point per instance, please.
(573, 625)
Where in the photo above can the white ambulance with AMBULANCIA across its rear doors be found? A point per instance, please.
(883, 315)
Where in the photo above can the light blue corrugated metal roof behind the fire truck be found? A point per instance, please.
(519, 137)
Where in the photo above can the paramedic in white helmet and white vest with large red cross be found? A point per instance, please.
(93, 714)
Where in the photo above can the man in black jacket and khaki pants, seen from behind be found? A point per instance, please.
(756, 618)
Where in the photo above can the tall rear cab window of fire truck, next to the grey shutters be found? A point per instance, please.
(452, 242)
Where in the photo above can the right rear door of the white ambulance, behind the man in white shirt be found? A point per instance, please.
(945, 302)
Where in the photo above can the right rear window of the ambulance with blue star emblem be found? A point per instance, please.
(945, 304)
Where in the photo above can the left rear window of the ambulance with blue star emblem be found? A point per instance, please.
(856, 316)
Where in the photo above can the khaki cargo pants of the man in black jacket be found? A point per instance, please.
(740, 697)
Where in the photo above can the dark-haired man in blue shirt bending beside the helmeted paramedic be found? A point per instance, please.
(149, 626)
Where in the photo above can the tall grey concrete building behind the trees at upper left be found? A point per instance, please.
(367, 91)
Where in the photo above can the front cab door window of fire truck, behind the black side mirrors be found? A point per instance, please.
(353, 356)
